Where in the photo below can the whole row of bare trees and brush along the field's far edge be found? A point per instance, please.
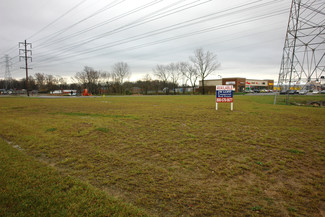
(166, 78)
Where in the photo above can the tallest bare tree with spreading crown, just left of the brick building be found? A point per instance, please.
(205, 64)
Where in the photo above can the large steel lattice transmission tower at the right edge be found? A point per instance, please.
(303, 57)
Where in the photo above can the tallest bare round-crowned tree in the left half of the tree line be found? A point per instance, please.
(120, 72)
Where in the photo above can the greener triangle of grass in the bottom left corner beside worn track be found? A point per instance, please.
(30, 188)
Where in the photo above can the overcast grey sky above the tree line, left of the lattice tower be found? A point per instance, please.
(246, 35)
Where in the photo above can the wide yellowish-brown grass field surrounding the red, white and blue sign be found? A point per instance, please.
(177, 155)
